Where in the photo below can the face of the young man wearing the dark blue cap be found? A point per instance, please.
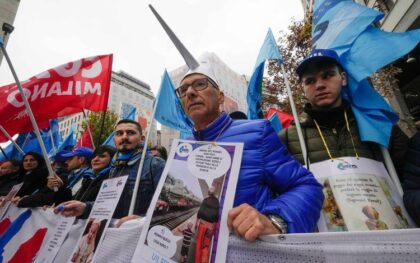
(323, 87)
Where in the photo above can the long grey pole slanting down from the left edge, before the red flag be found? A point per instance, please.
(30, 114)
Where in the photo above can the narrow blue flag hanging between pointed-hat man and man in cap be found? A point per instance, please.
(269, 50)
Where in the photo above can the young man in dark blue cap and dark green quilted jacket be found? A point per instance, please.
(327, 116)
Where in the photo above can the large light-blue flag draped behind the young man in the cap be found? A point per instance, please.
(345, 27)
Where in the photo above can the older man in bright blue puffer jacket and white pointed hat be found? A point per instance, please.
(274, 194)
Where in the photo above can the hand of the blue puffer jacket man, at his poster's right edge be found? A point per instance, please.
(246, 222)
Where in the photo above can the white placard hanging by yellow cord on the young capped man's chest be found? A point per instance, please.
(359, 196)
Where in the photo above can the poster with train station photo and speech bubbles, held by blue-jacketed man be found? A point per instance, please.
(187, 219)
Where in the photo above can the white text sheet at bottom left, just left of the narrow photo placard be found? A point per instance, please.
(50, 248)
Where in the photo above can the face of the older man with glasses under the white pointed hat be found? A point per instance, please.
(202, 106)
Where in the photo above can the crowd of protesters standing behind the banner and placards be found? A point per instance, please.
(275, 193)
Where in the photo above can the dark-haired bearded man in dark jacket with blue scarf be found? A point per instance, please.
(128, 140)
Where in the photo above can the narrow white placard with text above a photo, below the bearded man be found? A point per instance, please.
(98, 220)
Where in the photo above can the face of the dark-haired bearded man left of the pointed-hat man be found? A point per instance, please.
(127, 137)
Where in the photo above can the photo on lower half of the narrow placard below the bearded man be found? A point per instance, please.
(86, 248)
